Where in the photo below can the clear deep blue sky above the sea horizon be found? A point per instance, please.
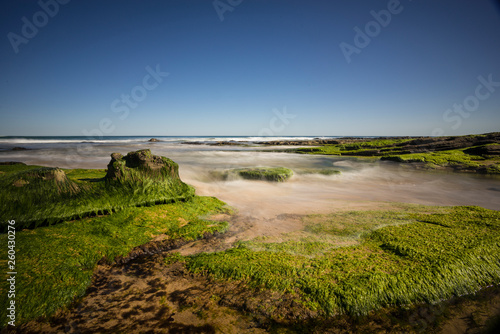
(225, 77)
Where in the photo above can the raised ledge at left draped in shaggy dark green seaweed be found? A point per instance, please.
(44, 196)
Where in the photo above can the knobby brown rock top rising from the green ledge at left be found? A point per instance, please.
(141, 163)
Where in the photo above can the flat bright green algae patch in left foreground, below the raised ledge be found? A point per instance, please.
(55, 263)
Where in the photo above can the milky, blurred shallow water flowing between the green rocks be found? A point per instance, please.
(360, 181)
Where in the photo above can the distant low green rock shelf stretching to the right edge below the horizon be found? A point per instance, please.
(469, 153)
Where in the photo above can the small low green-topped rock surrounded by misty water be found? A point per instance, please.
(276, 174)
